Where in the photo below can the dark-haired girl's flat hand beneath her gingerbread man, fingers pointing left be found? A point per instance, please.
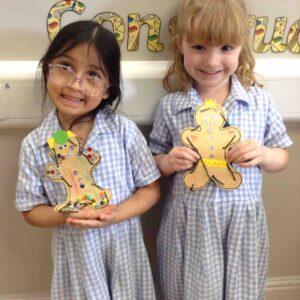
(88, 217)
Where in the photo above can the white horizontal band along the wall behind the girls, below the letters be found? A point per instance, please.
(20, 92)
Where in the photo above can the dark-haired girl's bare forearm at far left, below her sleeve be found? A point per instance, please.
(44, 216)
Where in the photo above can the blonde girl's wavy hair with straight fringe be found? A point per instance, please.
(212, 22)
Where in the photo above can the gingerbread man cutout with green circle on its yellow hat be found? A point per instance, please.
(74, 167)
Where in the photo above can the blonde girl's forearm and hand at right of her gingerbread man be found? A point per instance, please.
(250, 153)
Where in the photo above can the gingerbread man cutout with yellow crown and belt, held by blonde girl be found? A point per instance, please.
(211, 140)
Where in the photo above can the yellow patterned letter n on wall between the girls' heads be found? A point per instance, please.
(134, 25)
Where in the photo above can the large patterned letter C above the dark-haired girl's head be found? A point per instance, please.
(56, 12)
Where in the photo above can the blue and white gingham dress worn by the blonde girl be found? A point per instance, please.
(213, 243)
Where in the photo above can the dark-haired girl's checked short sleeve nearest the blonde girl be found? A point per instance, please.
(143, 165)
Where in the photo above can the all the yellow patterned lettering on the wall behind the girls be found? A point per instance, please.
(135, 21)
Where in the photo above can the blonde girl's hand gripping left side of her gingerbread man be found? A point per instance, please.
(181, 158)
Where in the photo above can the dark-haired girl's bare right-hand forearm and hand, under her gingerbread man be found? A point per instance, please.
(144, 198)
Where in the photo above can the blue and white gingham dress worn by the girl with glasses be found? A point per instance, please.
(93, 264)
